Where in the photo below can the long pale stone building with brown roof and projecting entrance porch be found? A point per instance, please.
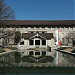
(42, 33)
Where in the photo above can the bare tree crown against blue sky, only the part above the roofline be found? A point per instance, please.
(6, 12)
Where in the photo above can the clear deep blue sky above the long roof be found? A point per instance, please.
(43, 9)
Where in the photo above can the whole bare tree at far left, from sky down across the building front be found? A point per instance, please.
(6, 13)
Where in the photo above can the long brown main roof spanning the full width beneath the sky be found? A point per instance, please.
(37, 22)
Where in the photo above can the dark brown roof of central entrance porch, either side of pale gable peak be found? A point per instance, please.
(45, 35)
